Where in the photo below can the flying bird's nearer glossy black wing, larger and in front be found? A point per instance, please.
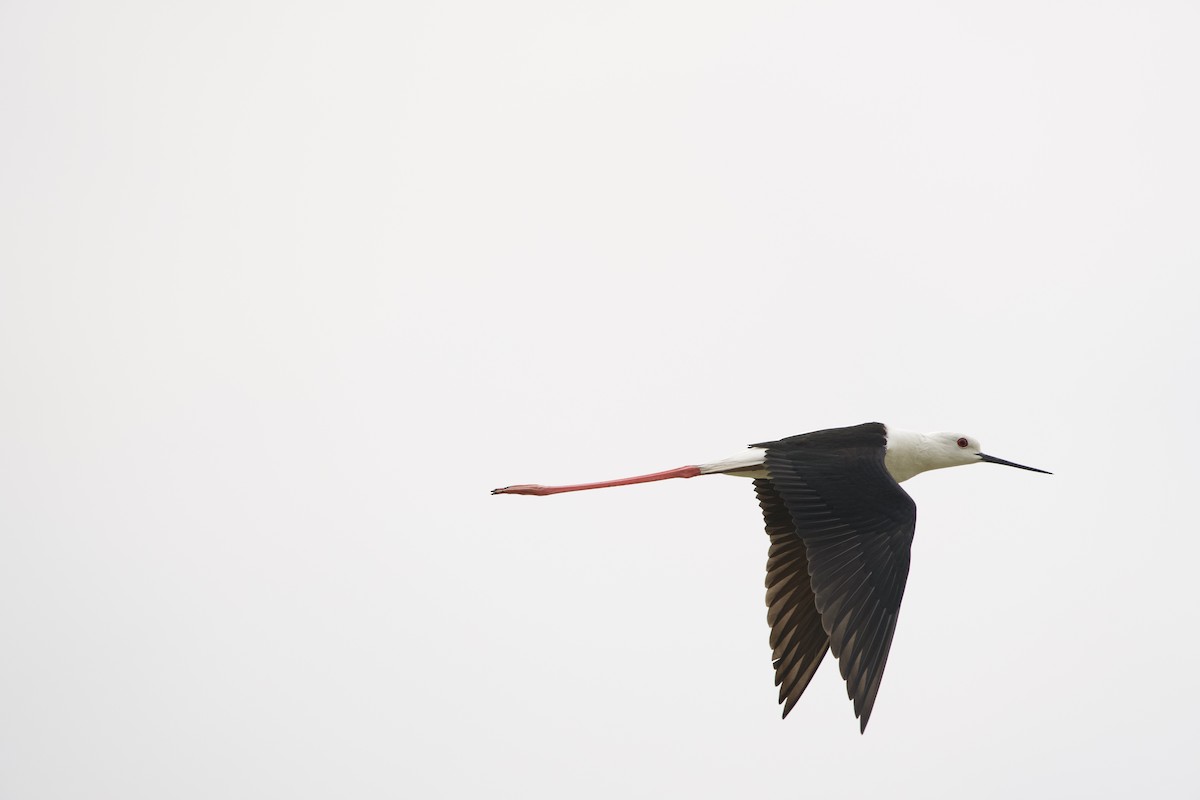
(857, 527)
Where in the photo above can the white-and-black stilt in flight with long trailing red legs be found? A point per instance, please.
(842, 531)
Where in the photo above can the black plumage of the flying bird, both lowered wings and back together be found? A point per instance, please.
(857, 527)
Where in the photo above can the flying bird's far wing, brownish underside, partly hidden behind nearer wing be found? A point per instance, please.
(799, 641)
